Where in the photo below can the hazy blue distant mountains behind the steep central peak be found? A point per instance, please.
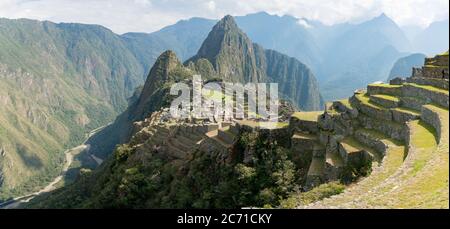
(356, 54)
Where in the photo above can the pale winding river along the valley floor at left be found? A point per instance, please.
(70, 155)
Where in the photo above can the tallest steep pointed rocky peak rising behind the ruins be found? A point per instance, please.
(235, 58)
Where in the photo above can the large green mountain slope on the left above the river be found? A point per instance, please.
(57, 81)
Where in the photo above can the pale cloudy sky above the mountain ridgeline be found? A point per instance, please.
(149, 15)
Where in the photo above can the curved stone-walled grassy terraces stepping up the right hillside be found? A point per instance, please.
(403, 127)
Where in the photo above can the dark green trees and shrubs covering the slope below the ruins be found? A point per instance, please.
(145, 180)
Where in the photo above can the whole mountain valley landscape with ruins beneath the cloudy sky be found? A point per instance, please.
(86, 118)
